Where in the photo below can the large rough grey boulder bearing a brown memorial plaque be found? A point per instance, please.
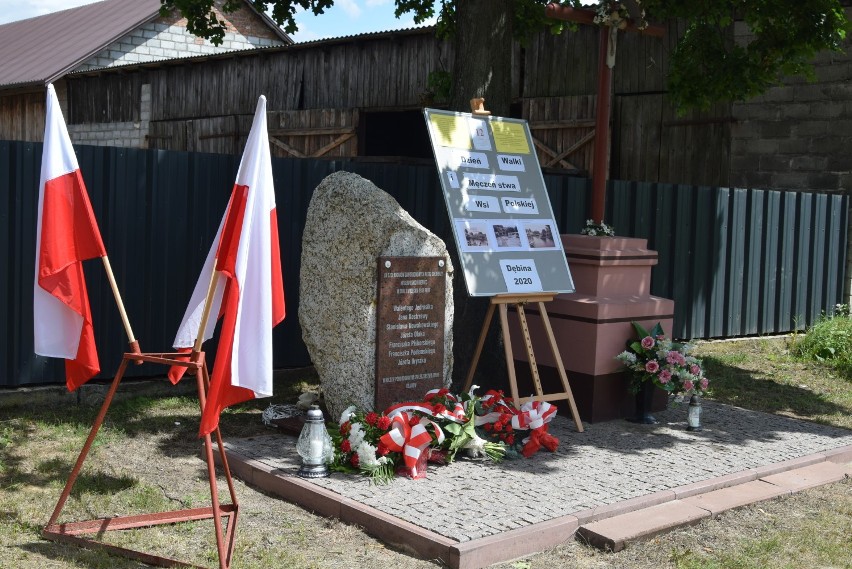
(350, 225)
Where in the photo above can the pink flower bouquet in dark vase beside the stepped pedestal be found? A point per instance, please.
(666, 363)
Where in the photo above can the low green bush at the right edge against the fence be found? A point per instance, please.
(828, 341)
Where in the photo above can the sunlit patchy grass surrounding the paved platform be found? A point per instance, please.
(145, 459)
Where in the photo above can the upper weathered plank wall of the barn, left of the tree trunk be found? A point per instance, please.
(388, 71)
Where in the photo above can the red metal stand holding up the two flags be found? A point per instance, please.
(72, 532)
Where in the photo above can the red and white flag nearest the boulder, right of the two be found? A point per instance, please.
(249, 295)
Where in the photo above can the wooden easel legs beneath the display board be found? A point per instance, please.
(519, 300)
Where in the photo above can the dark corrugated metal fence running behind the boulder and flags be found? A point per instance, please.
(737, 262)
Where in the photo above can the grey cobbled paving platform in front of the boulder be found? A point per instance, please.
(609, 469)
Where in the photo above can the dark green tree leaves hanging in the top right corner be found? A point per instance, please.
(710, 65)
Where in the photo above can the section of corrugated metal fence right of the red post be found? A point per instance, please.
(737, 262)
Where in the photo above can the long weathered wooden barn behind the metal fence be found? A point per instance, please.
(362, 96)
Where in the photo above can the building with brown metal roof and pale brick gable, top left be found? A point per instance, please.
(111, 34)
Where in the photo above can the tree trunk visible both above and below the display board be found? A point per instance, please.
(483, 68)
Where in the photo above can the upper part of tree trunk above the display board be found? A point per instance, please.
(483, 58)
